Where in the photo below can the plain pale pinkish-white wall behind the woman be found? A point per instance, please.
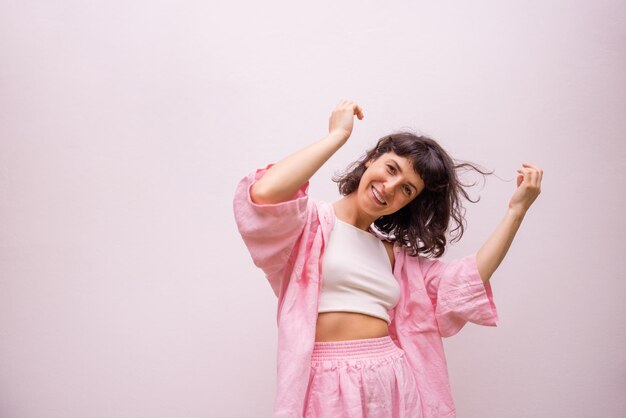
(125, 289)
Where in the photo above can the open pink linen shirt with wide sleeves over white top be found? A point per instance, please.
(286, 240)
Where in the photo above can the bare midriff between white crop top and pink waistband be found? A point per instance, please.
(343, 326)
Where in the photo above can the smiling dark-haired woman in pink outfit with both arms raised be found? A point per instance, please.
(361, 308)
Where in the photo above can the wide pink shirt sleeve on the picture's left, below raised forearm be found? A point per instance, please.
(269, 231)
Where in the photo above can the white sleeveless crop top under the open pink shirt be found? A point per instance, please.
(356, 274)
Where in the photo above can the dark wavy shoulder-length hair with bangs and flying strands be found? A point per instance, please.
(421, 225)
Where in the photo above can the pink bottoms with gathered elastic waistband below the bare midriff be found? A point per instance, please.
(367, 378)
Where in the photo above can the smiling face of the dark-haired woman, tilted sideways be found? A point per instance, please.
(388, 184)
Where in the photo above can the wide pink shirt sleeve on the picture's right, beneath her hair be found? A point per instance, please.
(458, 294)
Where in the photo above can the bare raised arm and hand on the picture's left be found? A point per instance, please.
(284, 178)
